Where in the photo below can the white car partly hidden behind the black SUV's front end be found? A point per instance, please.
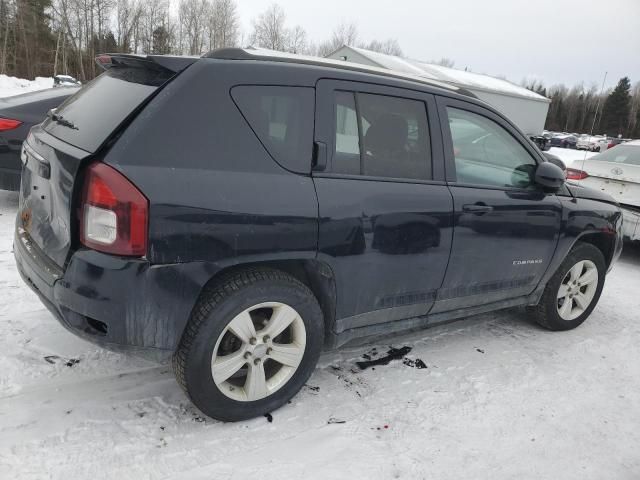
(616, 172)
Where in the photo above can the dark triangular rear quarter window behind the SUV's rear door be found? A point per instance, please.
(282, 119)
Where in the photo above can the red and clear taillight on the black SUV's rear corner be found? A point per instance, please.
(114, 213)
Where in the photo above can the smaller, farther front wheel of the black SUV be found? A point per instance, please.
(574, 290)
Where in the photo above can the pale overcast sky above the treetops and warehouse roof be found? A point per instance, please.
(556, 41)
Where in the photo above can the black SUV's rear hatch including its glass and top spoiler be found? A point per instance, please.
(71, 135)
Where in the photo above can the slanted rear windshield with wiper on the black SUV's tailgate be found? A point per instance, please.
(88, 118)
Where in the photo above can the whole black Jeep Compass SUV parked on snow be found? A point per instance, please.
(240, 212)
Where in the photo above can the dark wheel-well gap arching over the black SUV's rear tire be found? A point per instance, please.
(317, 276)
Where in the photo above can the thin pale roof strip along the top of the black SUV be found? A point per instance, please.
(291, 58)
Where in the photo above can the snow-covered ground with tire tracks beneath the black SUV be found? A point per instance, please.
(499, 398)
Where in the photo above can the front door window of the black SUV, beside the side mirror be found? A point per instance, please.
(486, 154)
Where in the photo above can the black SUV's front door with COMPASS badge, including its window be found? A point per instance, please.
(506, 227)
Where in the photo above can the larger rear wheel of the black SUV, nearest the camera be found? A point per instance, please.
(252, 342)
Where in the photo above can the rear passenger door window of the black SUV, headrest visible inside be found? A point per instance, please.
(381, 136)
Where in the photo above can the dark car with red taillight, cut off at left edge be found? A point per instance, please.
(17, 115)
